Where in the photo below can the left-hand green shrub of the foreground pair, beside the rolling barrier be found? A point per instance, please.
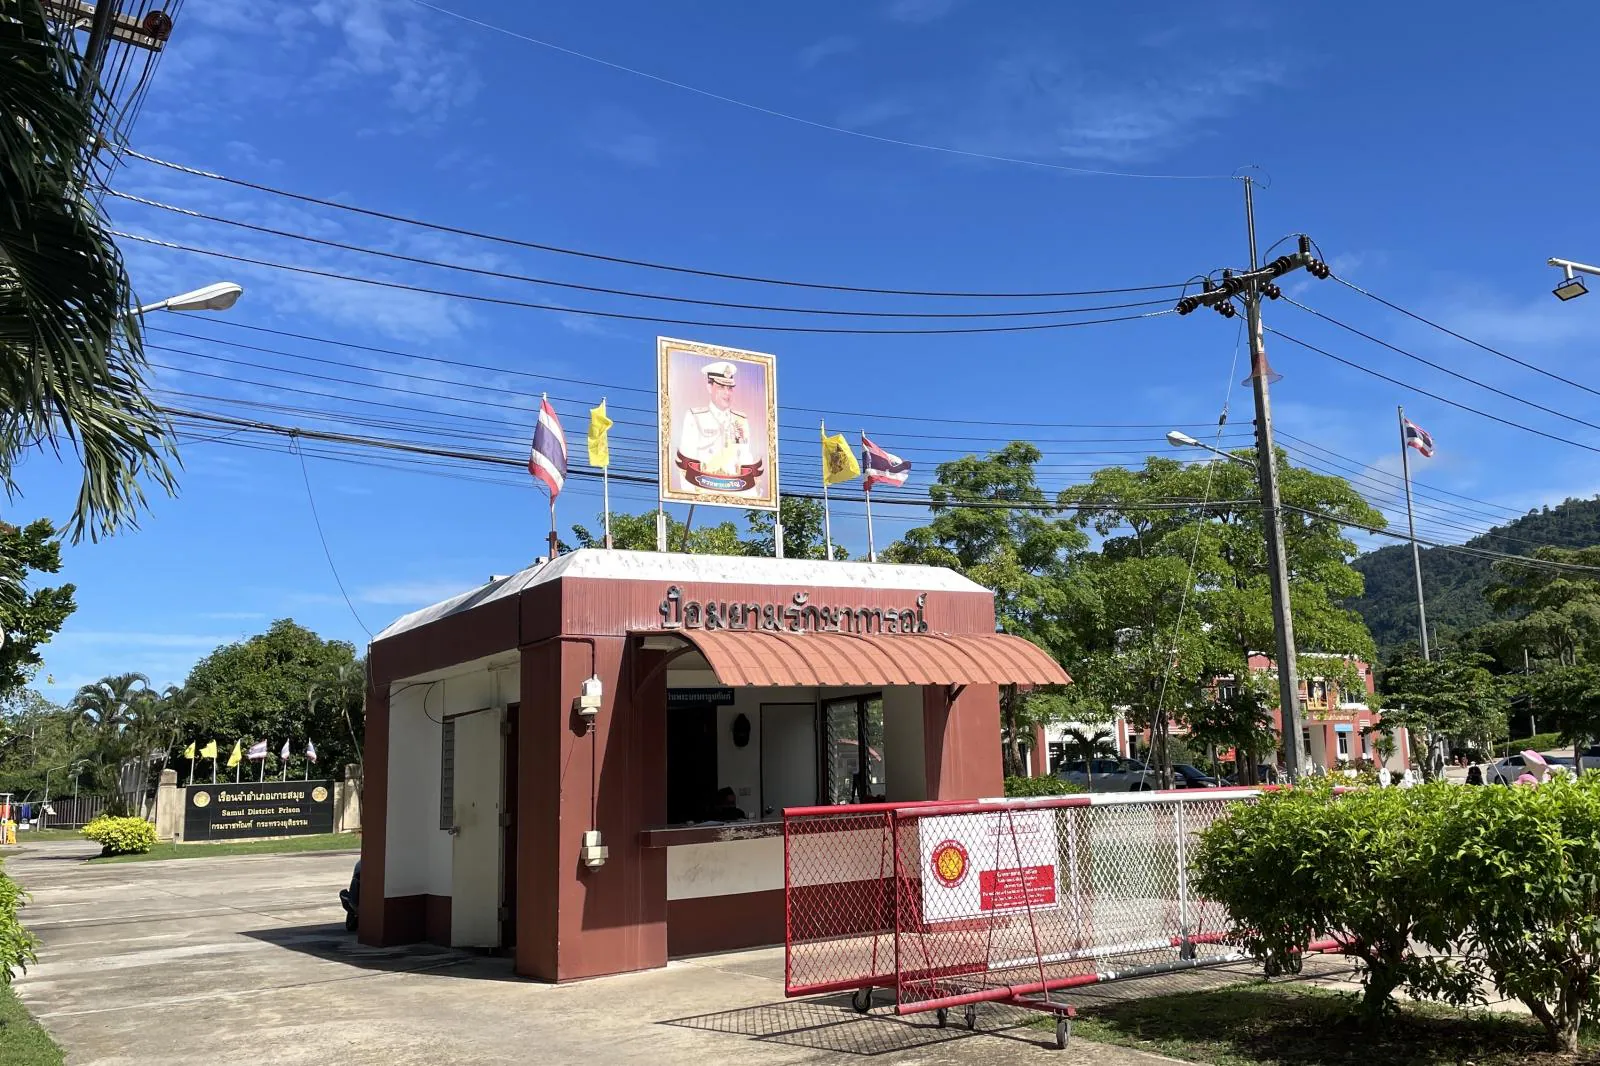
(1306, 864)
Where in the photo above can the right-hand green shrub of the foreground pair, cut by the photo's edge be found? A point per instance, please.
(1518, 884)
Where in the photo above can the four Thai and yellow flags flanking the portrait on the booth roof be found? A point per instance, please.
(548, 465)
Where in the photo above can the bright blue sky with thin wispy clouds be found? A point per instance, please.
(1431, 151)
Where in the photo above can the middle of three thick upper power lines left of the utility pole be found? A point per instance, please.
(506, 276)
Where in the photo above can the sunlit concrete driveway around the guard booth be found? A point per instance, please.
(247, 960)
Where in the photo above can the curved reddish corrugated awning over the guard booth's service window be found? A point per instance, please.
(836, 659)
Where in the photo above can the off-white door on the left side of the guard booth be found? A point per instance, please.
(476, 860)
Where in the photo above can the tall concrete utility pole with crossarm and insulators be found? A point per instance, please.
(1250, 287)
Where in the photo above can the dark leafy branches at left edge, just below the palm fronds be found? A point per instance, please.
(30, 617)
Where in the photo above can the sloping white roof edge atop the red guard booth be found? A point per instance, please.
(679, 569)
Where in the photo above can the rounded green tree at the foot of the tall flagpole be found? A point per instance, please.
(1434, 700)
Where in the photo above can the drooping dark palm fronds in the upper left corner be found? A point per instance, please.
(71, 359)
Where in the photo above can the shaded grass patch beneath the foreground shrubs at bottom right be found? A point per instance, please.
(1274, 1025)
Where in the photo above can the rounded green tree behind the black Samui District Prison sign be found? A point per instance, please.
(284, 684)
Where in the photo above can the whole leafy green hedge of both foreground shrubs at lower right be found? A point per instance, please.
(1498, 883)
